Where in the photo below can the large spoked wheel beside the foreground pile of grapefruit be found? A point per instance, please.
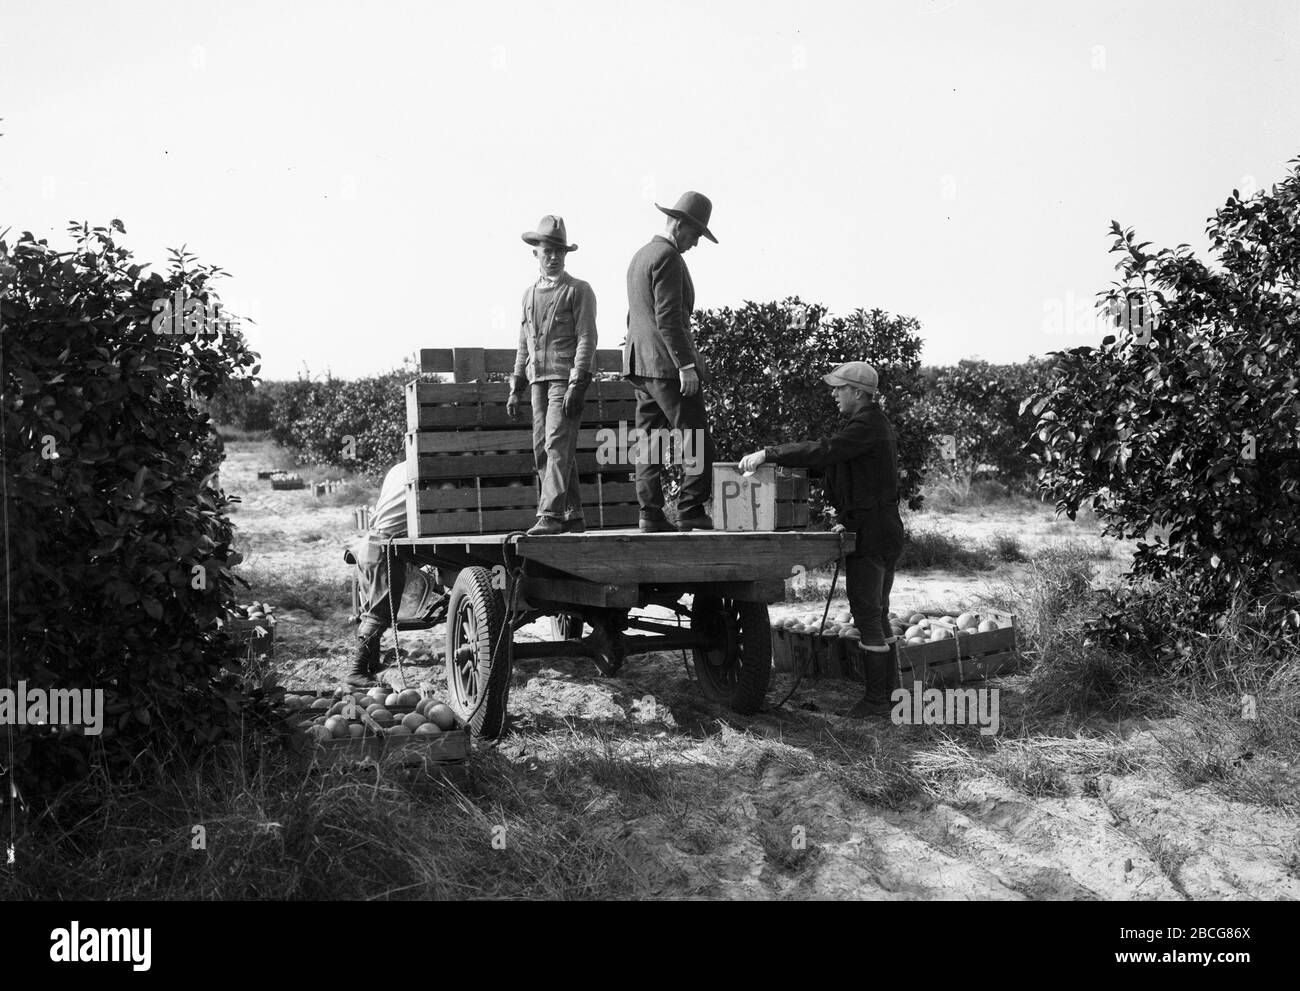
(478, 669)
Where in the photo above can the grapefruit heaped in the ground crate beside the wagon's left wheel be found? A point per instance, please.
(380, 712)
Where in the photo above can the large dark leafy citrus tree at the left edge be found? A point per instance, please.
(118, 542)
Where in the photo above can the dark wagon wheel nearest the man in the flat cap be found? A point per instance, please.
(738, 670)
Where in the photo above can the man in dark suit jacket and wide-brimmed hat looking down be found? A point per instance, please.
(661, 361)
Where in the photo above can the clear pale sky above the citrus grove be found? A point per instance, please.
(365, 170)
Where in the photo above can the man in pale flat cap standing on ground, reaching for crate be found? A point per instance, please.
(860, 465)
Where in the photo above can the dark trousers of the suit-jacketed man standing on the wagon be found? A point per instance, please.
(661, 406)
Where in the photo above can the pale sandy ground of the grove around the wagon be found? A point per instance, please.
(759, 810)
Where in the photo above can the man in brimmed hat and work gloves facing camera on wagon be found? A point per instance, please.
(557, 348)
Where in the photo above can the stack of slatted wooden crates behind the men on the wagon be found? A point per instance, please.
(471, 466)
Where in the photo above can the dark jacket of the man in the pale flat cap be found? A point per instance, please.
(860, 464)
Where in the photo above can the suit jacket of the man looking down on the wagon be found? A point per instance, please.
(661, 300)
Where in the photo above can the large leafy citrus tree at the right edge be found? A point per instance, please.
(1182, 430)
